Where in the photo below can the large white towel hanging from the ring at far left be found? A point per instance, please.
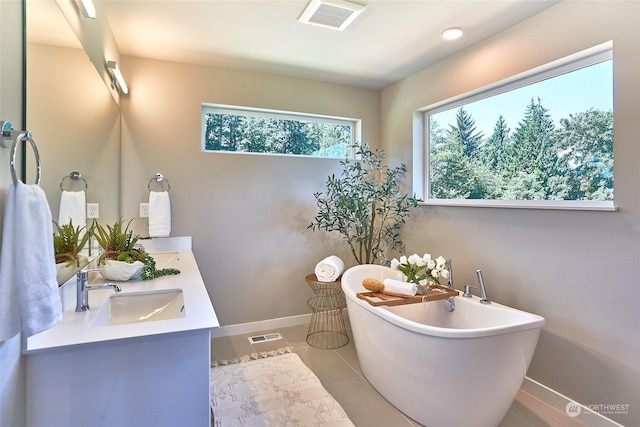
(29, 298)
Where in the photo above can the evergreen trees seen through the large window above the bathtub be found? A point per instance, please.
(538, 161)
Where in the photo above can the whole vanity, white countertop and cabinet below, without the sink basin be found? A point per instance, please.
(154, 373)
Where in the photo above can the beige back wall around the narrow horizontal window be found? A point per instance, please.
(248, 214)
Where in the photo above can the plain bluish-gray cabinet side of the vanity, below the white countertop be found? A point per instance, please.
(159, 380)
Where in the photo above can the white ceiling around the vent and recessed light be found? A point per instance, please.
(389, 41)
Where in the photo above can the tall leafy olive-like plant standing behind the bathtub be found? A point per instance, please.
(365, 205)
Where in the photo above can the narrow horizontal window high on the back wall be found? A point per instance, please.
(250, 130)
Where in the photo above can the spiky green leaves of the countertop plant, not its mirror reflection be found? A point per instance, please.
(118, 243)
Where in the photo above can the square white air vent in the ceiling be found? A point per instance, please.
(335, 14)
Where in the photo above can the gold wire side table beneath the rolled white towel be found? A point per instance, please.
(327, 329)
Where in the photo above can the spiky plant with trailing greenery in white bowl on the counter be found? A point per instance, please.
(122, 260)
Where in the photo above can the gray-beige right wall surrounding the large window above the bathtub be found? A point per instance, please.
(580, 270)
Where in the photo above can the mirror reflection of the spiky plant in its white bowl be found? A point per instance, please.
(68, 242)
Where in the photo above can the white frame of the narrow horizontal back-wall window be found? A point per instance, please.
(356, 126)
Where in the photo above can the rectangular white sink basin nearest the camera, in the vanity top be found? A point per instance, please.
(139, 307)
